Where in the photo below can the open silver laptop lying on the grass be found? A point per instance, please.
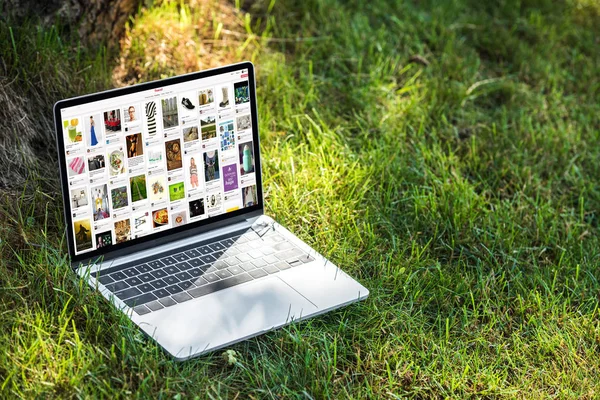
(164, 212)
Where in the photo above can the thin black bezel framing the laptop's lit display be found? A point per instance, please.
(178, 232)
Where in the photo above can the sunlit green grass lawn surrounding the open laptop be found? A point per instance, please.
(444, 154)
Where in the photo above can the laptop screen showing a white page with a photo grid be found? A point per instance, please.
(150, 161)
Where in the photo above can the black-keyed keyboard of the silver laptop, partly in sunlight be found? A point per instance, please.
(172, 278)
